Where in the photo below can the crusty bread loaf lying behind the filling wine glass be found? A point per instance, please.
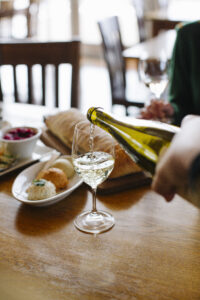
(62, 126)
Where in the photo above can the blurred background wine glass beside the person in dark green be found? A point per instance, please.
(153, 72)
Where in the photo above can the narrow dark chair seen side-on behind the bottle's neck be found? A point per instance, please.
(112, 46)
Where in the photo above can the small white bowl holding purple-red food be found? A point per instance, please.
(22, 148)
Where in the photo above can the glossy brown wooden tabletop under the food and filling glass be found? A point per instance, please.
(153, 251)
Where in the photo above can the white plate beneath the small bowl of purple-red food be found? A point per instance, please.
(40, 151)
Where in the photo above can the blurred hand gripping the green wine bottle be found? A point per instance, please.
(172, 170)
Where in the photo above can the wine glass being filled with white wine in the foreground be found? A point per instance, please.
(93, 161)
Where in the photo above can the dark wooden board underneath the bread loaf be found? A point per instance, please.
(114, 185)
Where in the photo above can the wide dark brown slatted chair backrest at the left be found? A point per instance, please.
(31, 53)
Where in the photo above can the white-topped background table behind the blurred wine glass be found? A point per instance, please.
(155, 46)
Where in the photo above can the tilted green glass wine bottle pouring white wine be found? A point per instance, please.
(143, 140)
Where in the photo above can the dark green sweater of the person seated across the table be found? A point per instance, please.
(184, 88)
